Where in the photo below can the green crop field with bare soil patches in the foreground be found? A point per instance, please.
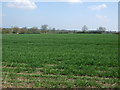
(60, 60)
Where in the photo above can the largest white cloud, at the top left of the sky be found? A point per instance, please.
(22, 4)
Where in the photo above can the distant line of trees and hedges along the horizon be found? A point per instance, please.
(45, 29)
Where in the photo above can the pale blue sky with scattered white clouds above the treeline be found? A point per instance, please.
(61, 15)
